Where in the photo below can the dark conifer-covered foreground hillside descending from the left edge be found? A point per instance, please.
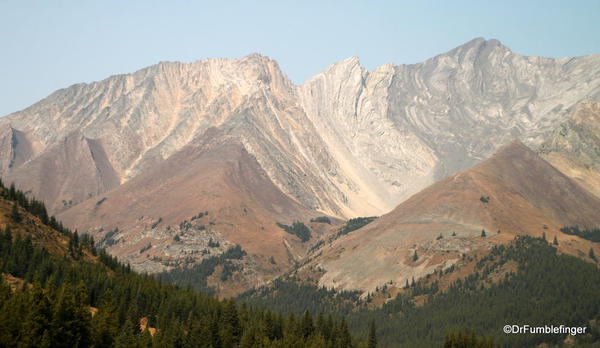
(81, 297)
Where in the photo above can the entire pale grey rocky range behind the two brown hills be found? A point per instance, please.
(348, 142)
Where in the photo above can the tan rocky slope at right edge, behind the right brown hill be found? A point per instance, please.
(574, 146)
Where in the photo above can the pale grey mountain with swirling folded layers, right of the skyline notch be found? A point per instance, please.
(403, 127)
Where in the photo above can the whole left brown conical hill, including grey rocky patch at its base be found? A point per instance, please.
(215, 175)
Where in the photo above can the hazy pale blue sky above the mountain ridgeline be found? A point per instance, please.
(47, 45)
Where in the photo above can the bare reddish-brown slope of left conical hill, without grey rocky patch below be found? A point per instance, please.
(216, 175)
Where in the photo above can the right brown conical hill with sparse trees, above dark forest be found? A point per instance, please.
(515, 192)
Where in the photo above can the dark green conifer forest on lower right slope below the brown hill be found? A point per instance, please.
(526, 282)
